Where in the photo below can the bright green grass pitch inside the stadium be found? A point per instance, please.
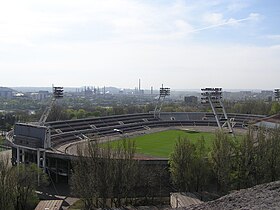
(161, 144)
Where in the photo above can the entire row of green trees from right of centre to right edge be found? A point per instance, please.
(252, 160)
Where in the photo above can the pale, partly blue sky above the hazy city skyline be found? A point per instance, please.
(183, 44)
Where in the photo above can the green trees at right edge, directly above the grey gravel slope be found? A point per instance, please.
(253, 160)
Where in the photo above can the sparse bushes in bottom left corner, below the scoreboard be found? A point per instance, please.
(18, 184)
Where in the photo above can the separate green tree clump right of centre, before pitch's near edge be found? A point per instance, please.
(189, 165)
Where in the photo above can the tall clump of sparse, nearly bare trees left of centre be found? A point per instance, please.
(109, 173)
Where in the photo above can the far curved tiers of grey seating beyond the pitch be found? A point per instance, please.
(75, 130)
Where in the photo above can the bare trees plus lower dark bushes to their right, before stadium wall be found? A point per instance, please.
(112, 177)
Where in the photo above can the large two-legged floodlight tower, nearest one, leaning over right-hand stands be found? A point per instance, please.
(213, 96)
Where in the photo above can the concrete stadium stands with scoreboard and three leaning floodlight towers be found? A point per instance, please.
(53, 145)
